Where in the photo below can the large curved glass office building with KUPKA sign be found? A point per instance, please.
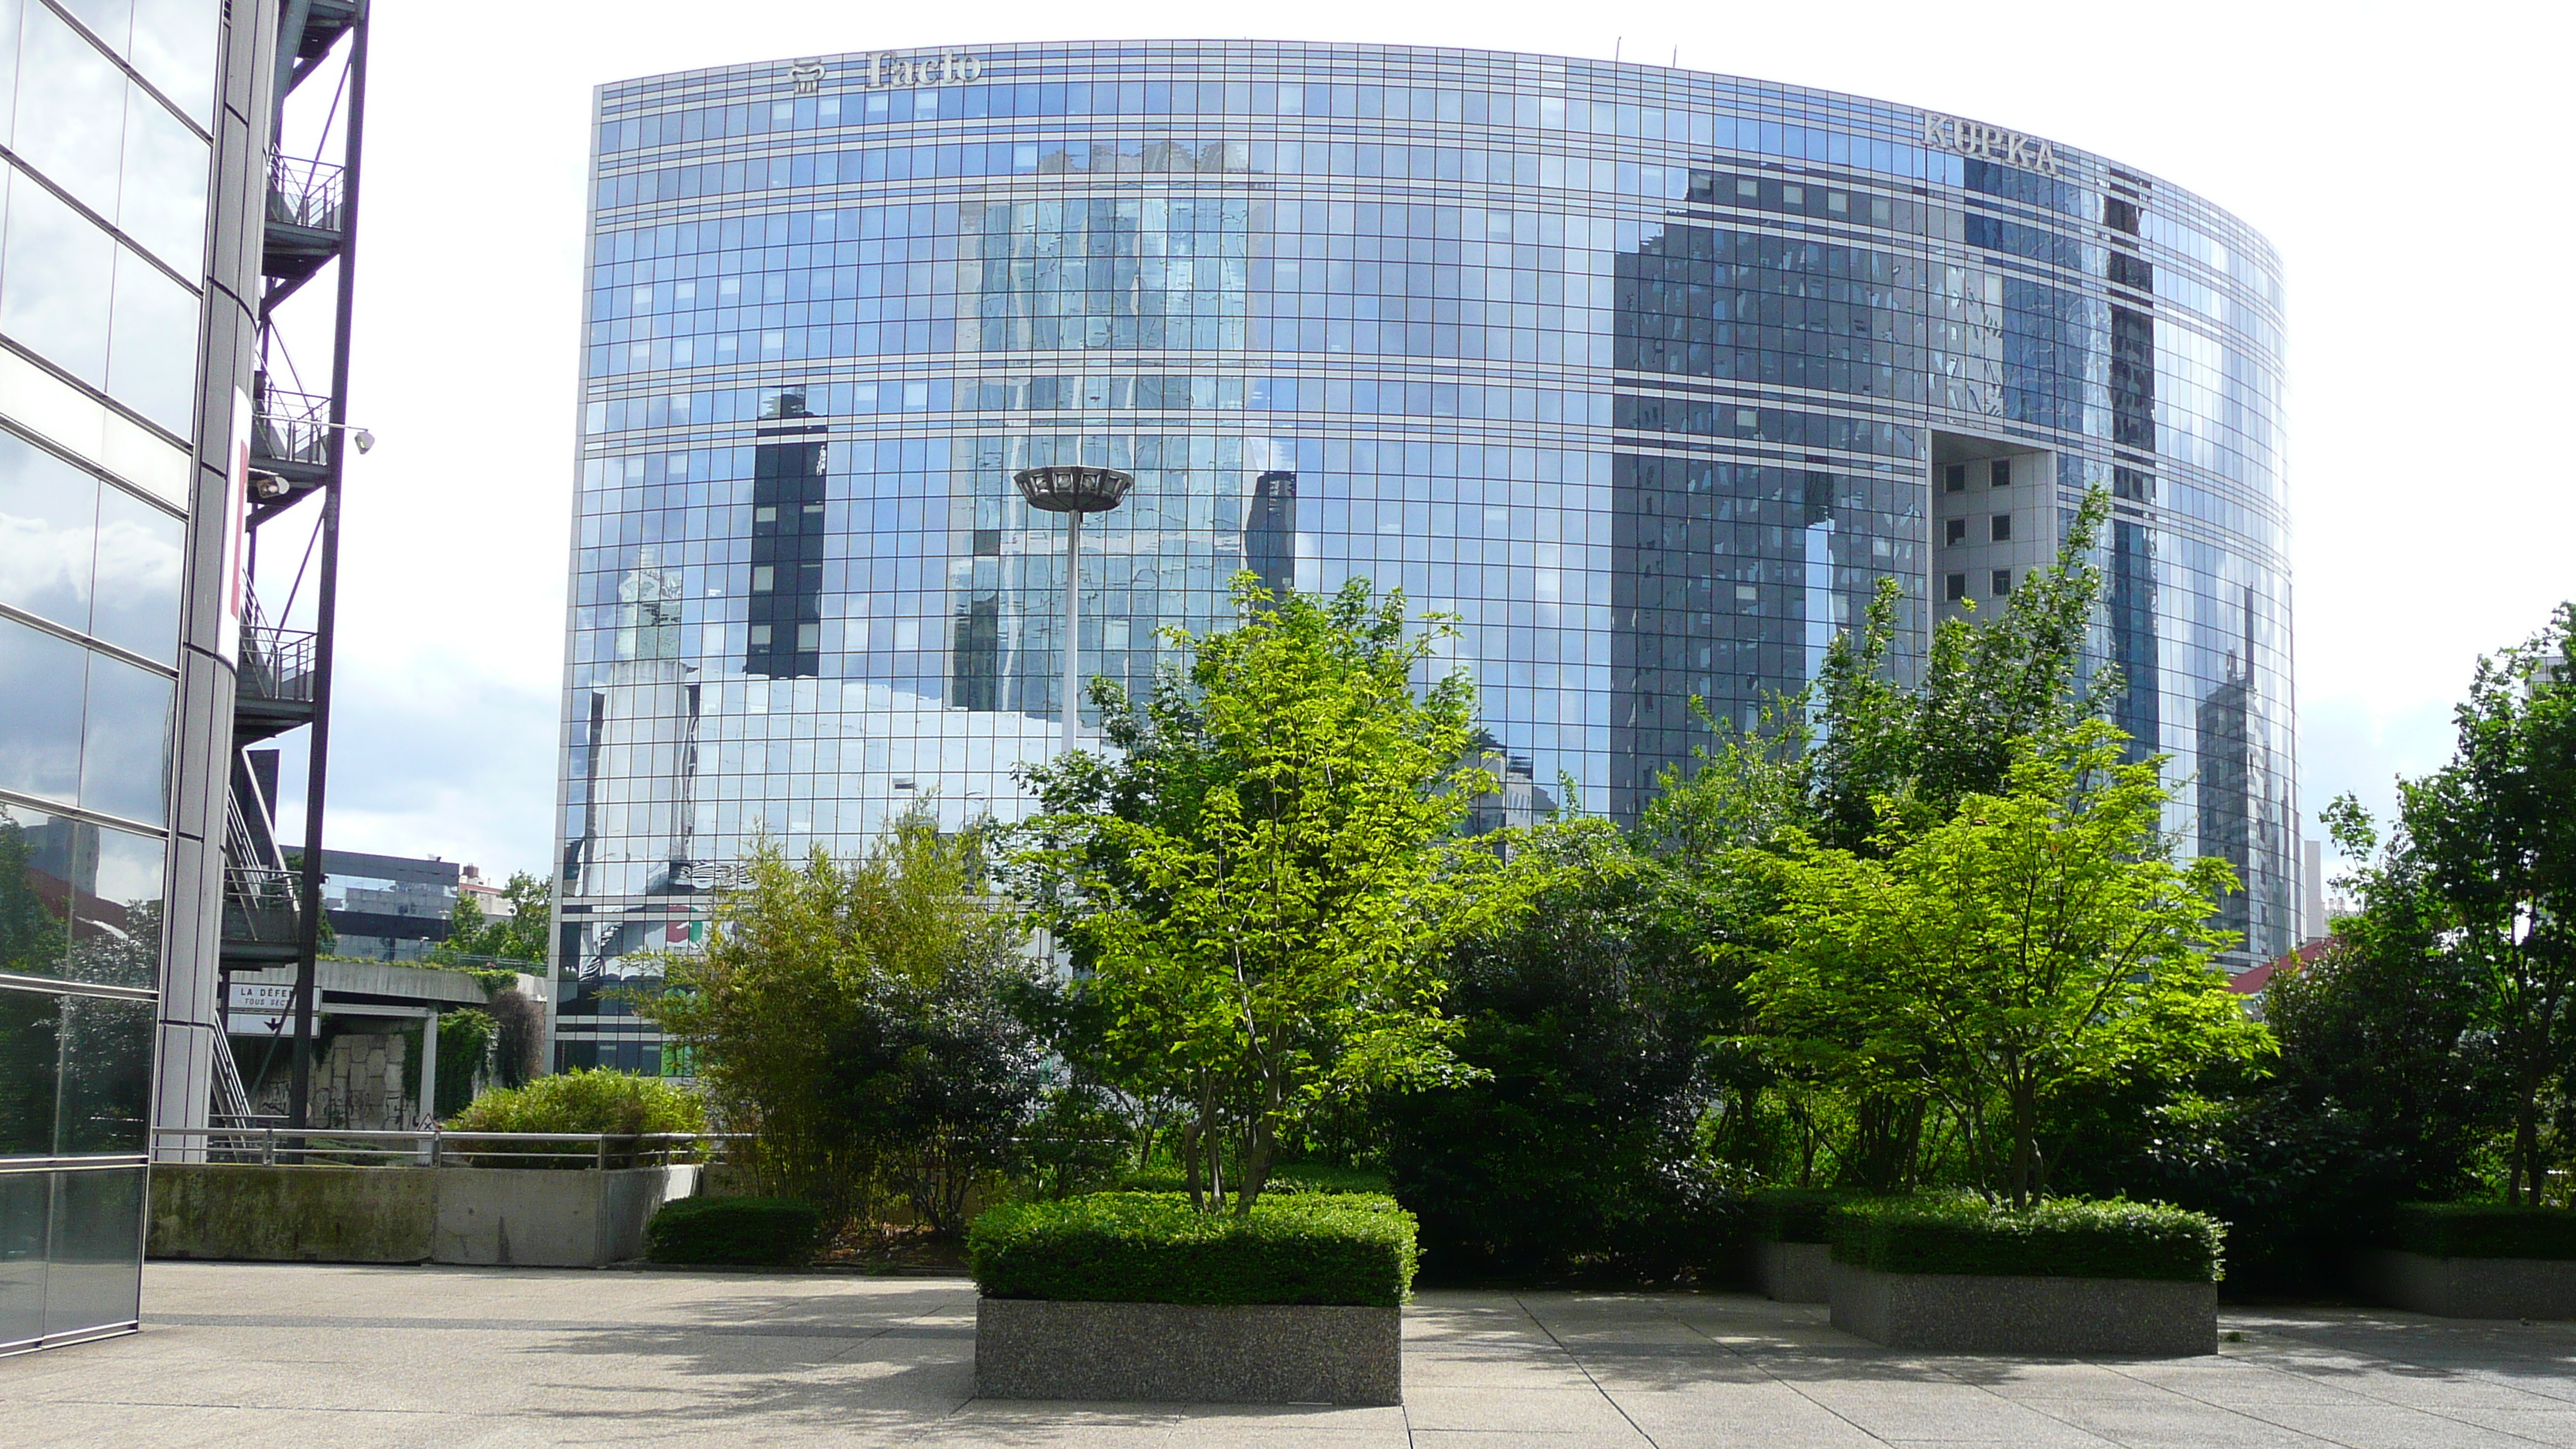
(1647, 375)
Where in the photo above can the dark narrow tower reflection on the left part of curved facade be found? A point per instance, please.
(784, 618)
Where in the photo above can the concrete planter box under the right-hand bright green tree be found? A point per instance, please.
(1975, 1314)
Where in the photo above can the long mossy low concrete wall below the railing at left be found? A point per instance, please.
(408, 1216)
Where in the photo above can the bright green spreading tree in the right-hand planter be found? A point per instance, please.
(2031, 948)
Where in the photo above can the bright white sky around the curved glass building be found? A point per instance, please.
(2410, 164)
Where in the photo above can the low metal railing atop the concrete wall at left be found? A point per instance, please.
(447, 1149)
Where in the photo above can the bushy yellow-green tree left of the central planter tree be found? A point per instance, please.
(854, 1017)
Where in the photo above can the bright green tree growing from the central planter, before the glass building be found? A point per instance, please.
(1261, 886)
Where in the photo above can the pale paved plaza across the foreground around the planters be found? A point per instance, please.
(303, 1357)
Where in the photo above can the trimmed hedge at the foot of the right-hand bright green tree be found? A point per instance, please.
(2062, 1239)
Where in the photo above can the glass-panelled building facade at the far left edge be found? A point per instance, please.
(128, 285)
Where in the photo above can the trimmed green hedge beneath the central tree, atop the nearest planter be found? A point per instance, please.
(1132, 1247)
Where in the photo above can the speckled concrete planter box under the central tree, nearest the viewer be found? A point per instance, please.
(1189, 1352)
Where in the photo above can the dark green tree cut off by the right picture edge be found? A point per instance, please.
(2497, 834)
